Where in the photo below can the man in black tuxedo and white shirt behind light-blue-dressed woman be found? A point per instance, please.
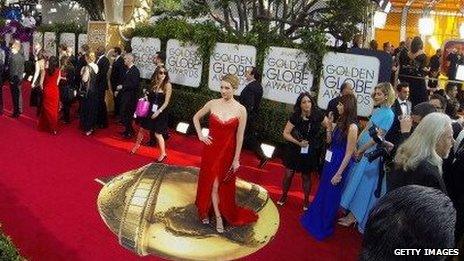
(401, 107)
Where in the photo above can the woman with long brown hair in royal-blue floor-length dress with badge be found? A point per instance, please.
(319, 220)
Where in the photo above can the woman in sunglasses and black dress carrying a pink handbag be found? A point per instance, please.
(157, 119)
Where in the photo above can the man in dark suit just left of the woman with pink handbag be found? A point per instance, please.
(127, 92)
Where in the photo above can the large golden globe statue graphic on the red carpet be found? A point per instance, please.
(152, 212)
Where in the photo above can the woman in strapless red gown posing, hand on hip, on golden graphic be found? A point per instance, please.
(220, 159)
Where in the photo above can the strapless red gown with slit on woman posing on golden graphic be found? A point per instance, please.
(215, 163)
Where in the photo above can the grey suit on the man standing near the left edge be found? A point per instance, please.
(16, 69)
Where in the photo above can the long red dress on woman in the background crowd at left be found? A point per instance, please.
(48, 120)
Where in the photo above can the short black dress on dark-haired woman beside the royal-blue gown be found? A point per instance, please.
(305, 129)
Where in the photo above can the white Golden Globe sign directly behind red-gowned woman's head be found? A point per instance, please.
(230, 58)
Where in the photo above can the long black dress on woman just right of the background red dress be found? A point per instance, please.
(89, 109)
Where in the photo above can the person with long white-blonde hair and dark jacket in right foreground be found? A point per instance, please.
(419, 159)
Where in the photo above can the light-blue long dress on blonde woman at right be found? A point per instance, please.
(358, 196)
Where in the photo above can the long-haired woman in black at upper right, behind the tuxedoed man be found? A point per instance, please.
(416, 70)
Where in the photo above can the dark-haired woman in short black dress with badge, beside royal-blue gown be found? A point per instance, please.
(301, 132)
